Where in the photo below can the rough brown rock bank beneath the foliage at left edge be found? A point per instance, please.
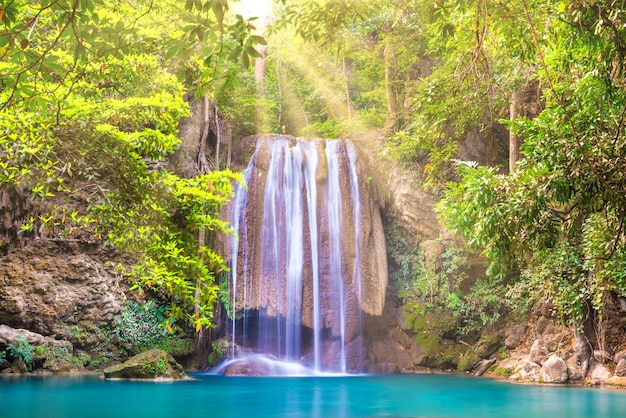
(50, 286)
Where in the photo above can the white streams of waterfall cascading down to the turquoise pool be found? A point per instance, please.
(296, 291)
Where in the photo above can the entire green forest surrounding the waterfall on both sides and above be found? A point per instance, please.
(91, 94)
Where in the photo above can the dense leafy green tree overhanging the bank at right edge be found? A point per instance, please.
(556, 225)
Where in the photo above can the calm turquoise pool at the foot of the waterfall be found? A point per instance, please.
(422, 395)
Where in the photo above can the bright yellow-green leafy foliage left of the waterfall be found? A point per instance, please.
(91, 95)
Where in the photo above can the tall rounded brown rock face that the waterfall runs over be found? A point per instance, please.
(309, 217)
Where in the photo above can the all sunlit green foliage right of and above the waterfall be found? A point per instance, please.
(434, 74)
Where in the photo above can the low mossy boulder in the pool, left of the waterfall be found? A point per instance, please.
(153, 364)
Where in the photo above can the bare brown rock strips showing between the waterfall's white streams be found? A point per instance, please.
(371, 240)
